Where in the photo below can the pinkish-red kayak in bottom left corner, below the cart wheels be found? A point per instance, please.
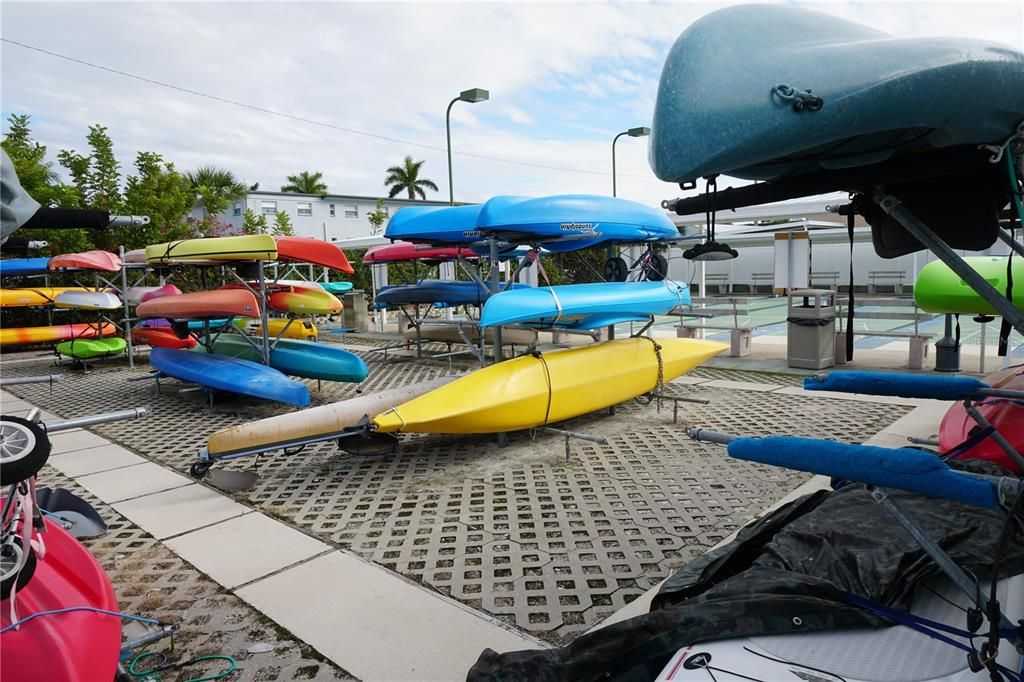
(76, 646)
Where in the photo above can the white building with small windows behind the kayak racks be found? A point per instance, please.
(329, 218)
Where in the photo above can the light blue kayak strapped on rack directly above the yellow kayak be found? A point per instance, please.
(585, 306)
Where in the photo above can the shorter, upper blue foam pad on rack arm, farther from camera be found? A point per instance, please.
(902, 386)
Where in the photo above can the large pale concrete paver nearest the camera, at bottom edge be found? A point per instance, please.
(382, 627)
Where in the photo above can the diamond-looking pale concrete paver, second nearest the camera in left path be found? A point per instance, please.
(246, 548)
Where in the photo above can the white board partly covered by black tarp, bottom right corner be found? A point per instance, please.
(887, 655)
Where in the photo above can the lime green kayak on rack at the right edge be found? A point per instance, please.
(938, 289)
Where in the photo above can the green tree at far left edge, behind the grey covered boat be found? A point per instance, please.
(42, 184)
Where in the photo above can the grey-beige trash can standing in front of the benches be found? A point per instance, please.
(812, 331)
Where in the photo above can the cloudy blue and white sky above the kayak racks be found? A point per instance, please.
(565, 79)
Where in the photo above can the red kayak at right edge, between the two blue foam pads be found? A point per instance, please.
(1005, 415)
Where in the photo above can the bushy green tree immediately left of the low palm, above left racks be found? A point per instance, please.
(161, 193)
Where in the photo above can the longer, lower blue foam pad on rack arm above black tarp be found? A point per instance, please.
(906, 470)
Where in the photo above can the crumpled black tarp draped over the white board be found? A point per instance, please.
(784, 575)
